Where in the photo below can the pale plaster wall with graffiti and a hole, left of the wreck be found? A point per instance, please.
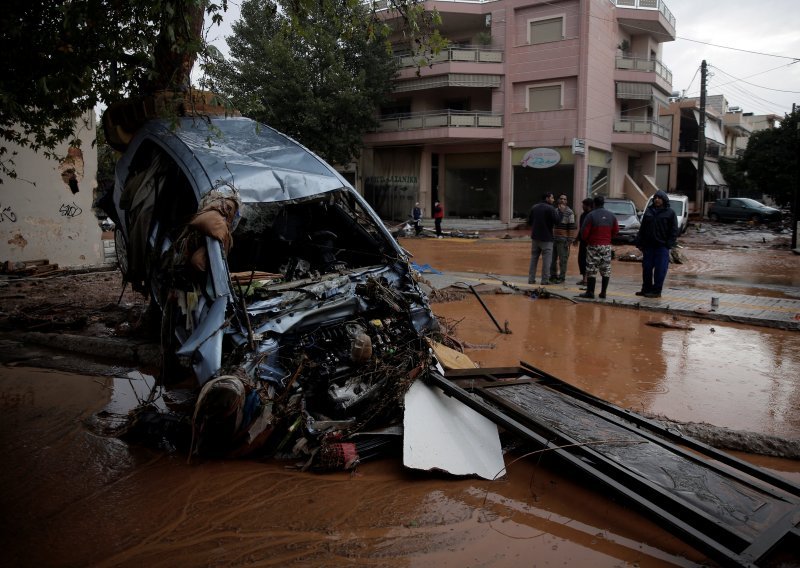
(46, 212)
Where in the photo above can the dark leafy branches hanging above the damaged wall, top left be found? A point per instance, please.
(61, 59)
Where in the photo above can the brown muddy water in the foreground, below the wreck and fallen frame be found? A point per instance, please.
(71, 498)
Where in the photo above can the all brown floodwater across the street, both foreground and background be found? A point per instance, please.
(72, 497)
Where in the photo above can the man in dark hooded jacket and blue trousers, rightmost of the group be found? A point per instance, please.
(657, 234)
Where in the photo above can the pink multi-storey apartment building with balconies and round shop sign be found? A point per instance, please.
(531, 96)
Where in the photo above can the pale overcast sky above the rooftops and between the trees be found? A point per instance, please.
(757, 83)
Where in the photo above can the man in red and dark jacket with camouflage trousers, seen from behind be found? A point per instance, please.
(598, 229)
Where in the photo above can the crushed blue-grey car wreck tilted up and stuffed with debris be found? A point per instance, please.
(309, 315)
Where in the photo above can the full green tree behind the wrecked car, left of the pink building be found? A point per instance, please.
(319, 76)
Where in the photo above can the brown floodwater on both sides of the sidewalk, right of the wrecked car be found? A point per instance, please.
(729, 375)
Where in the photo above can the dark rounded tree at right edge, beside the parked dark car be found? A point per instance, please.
(770, 161)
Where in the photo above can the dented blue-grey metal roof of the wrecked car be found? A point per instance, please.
(263, 164)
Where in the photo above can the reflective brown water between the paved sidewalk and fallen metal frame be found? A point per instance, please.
(724, 374)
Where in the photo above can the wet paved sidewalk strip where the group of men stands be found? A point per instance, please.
(778, 313)
